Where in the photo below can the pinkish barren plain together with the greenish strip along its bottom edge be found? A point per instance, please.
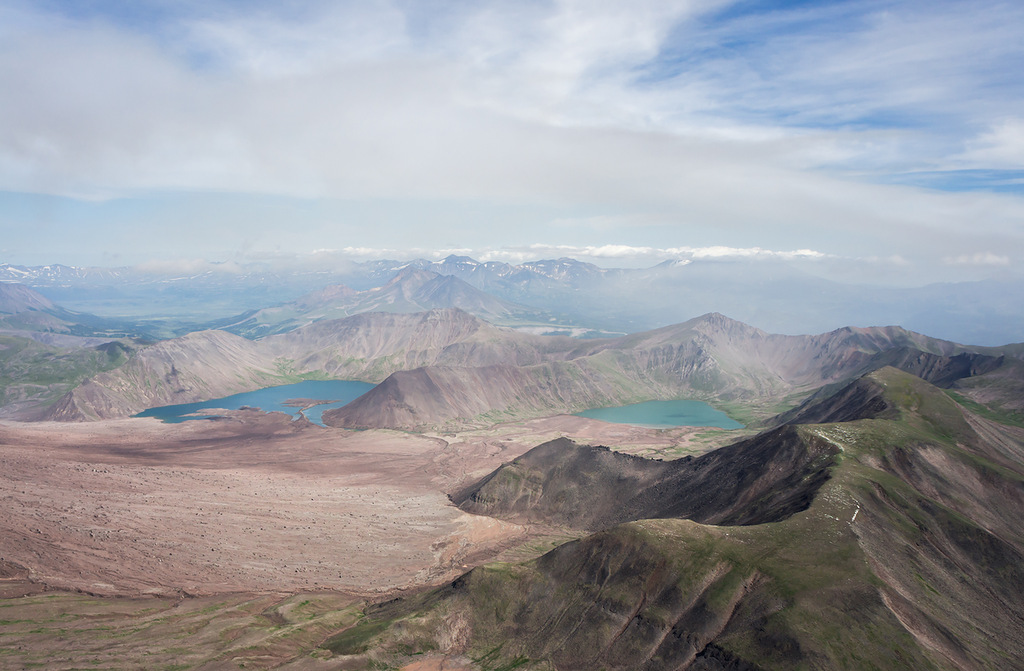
(143, 532)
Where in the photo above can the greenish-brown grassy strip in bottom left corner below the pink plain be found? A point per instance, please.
(65, 632)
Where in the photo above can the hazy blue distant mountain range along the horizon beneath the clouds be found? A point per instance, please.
(774, 296)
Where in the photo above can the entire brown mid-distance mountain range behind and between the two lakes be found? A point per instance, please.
(447, 369)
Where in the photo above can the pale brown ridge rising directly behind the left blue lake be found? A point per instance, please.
(212, 364)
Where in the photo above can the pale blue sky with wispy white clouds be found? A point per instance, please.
(865, 140)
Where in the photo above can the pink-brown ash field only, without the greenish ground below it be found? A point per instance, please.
(254, 504)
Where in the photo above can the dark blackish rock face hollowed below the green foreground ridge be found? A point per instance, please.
(763, 480)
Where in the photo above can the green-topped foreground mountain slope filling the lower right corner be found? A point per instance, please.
(910, 557)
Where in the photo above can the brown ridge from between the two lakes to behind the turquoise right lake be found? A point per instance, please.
(711, 358)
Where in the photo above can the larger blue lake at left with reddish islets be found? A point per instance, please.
(339, 393)
